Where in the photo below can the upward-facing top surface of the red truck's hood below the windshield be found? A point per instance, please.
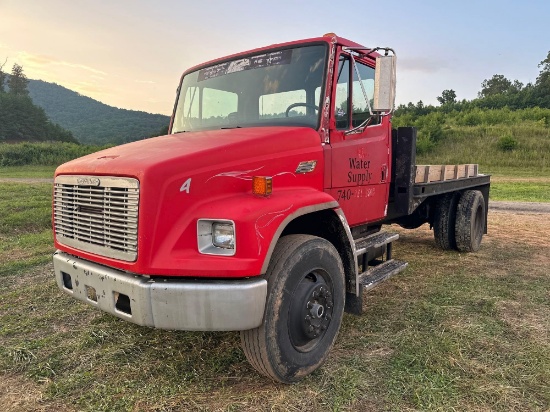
(193, 150)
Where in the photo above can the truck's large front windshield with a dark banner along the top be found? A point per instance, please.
(278, 88)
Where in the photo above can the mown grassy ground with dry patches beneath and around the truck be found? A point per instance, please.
(453, 332)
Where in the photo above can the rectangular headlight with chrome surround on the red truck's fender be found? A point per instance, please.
(216, 237)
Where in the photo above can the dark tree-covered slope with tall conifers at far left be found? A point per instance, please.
(20, 118)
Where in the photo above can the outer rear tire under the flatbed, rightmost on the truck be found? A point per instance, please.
(470, 221)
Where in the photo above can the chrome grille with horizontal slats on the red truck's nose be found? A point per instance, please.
(97, 214)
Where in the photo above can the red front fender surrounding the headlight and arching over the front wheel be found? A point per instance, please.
(259, 223)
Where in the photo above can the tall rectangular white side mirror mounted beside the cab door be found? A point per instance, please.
(384, 84)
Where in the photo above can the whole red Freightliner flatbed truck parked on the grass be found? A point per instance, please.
(261, 210)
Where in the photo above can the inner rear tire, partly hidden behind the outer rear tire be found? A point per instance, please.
(445, 221)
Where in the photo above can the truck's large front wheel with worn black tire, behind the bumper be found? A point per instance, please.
(305, 279)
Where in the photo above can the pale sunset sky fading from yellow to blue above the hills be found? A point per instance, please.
(131, 53)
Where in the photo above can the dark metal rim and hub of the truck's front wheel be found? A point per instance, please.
(310, 311)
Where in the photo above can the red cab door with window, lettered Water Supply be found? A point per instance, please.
(360, 160)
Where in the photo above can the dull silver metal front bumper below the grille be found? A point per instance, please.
(206, 305)
